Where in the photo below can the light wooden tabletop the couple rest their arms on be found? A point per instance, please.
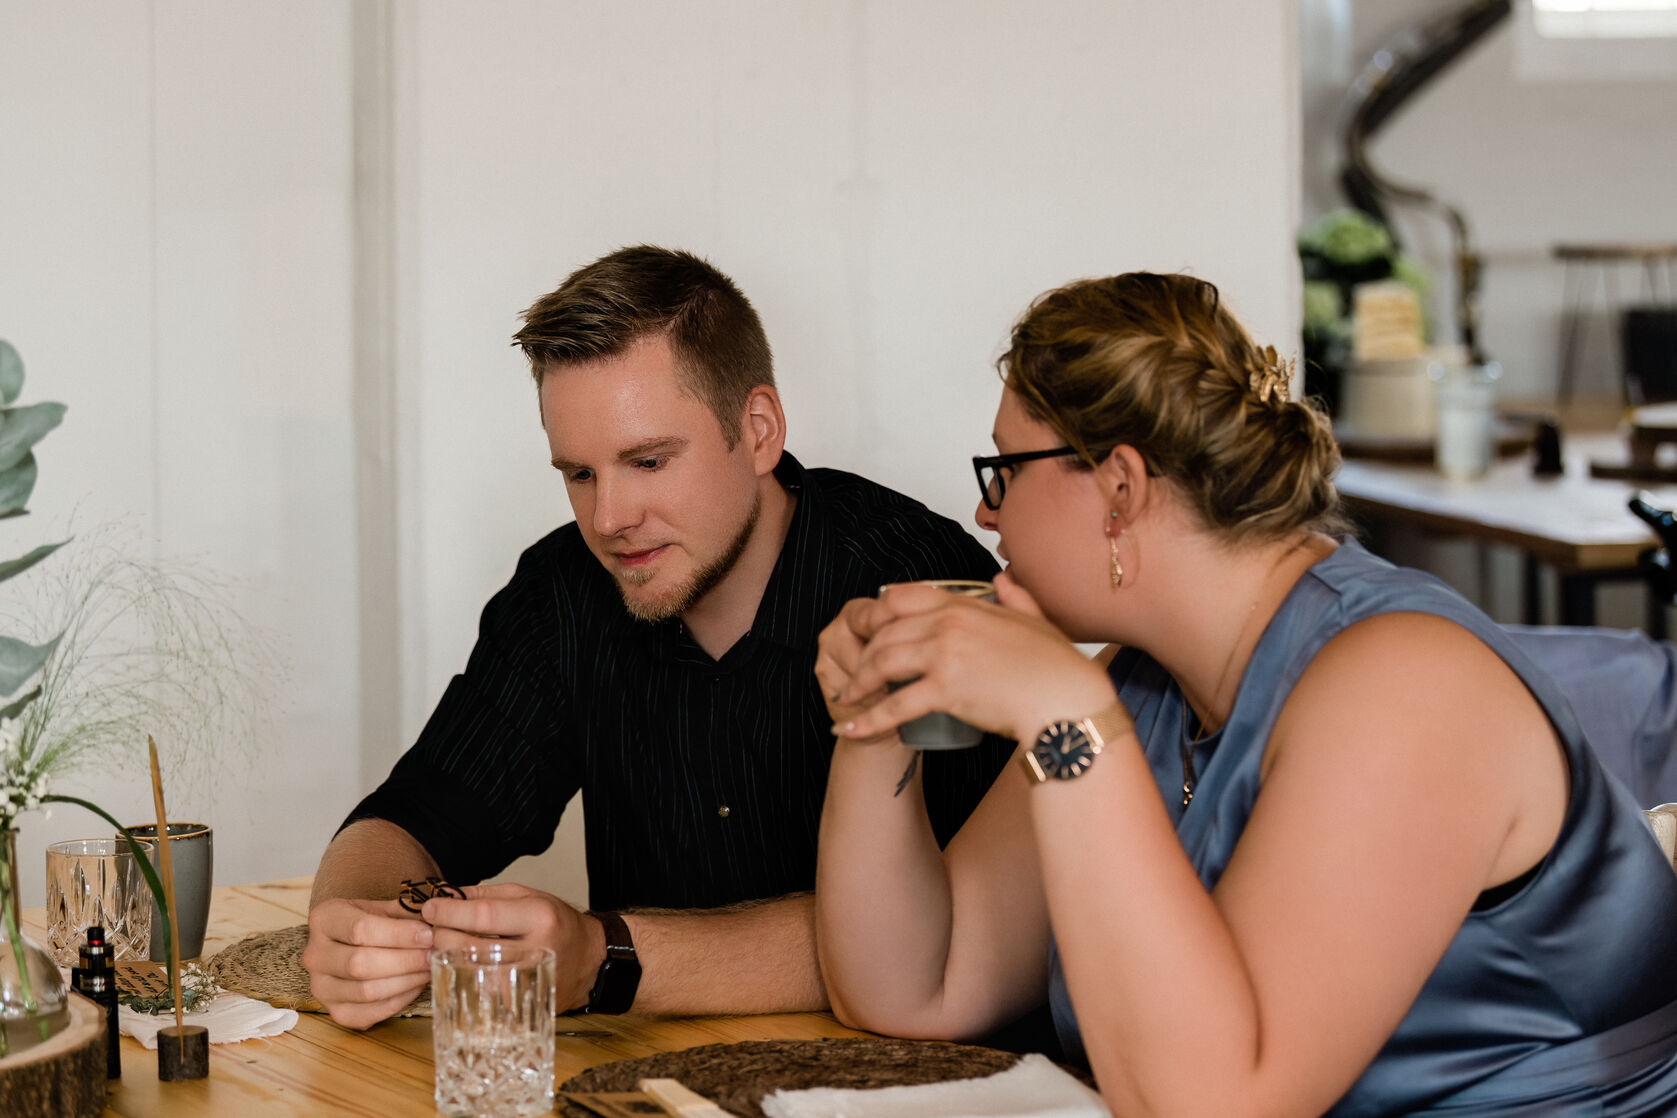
(321, 1069)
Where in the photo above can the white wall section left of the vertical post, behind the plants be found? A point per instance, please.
(175, 267)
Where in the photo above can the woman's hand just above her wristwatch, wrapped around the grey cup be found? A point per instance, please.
(1002, 668)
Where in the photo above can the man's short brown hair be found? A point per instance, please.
(611, 304)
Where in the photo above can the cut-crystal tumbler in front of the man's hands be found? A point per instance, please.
(494, 1030)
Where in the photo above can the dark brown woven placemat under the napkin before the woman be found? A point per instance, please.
(737, 1077)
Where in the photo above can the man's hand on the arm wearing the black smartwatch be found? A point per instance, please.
(527, 916)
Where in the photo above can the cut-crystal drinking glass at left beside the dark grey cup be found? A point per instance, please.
(98, 881)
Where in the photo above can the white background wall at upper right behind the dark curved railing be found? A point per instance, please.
(1534, 153)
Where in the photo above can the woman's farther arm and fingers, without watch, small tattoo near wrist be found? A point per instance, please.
(915, 941)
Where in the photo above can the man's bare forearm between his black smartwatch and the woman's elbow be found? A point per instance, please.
(757, 958)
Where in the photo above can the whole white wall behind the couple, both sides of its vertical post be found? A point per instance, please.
(890, 182)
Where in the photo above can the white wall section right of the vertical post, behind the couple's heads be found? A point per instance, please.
(891, 184)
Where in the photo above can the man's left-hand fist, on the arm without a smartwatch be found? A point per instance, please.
(366, 960)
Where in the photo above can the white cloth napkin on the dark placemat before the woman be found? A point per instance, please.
(1032, 1089)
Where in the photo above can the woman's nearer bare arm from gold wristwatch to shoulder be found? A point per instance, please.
(1410, 772)
